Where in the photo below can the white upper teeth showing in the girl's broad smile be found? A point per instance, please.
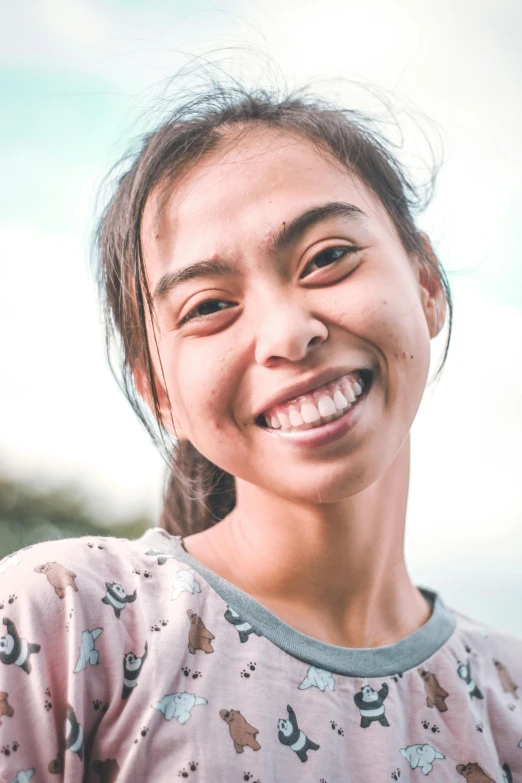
(323, 402)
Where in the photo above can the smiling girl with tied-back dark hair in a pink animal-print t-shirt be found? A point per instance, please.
(274, 303)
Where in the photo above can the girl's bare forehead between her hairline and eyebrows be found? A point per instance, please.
(243, 191)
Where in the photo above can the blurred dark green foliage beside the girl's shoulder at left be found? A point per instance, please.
(29, 515)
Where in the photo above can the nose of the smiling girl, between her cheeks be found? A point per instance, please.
(285, 329)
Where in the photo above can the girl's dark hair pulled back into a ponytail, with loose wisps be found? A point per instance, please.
(198, 493)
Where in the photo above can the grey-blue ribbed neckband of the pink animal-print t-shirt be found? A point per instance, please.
(390, 659)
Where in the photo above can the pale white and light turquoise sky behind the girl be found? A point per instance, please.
(75, 78)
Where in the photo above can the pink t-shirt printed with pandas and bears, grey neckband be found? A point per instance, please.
(130, 661)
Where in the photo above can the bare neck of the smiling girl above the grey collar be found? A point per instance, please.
(334, 571)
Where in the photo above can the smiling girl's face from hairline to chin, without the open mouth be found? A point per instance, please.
(281, 318)
